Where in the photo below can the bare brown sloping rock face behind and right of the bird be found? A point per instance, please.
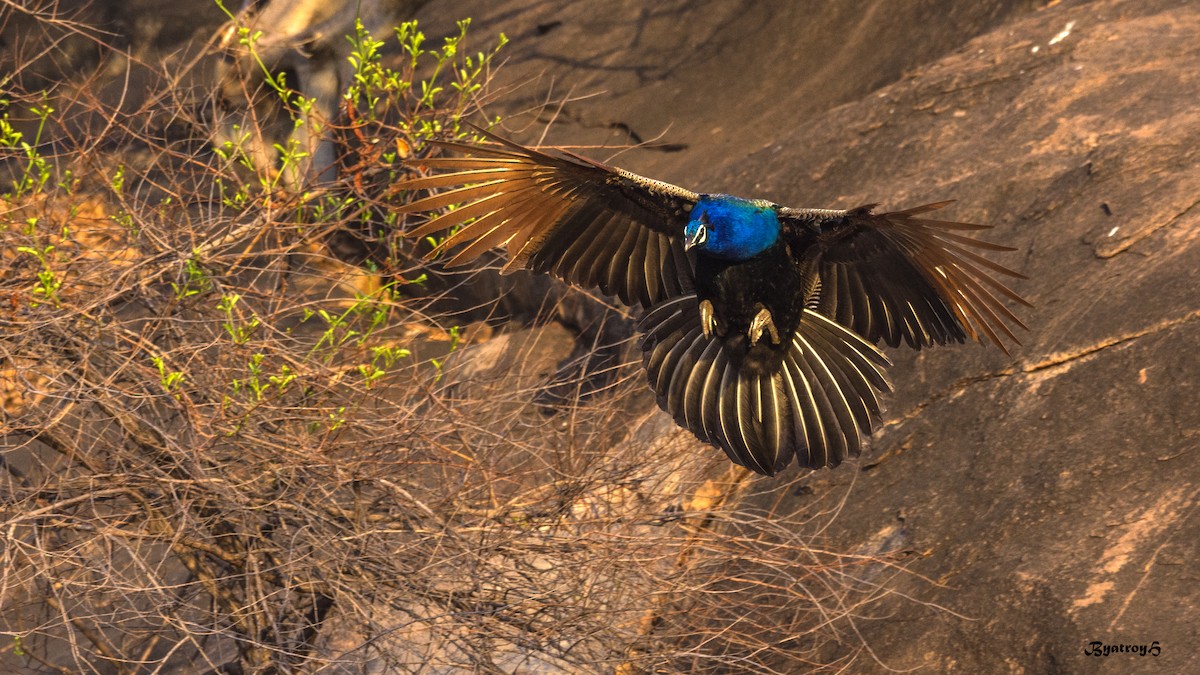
(1048, 497)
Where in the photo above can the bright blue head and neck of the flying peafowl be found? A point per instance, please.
(731, 229)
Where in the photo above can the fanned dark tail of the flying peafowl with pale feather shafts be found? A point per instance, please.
(817, 404)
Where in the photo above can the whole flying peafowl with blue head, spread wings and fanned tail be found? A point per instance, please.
(761, 321)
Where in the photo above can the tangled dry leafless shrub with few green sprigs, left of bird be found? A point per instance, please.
(227, 449)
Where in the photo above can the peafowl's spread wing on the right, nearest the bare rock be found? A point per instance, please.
(899, 277)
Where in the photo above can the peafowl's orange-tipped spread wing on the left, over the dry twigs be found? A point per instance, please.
(561, 214)
